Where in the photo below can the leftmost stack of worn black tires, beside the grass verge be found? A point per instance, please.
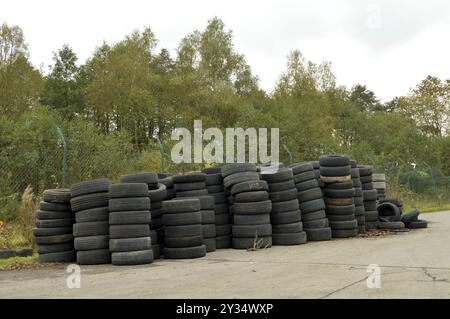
(53, 232)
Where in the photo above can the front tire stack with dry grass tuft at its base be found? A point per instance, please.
(251, 215)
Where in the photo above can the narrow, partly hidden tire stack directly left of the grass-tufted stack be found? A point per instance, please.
(222, 218)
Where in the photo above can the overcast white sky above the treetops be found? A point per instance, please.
(388, 45)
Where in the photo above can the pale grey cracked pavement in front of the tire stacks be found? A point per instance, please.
(412, 265)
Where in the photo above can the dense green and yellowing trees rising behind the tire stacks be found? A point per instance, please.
(128, 92)
